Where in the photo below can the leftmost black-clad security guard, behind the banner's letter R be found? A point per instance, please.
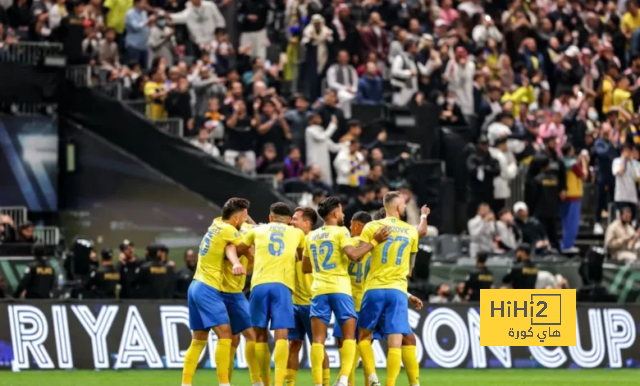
(38, 279)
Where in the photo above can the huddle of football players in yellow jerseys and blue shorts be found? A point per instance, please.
(301, 277)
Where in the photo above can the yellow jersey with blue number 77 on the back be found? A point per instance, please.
(390, 260)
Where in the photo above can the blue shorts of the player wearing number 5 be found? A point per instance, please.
(271, 302)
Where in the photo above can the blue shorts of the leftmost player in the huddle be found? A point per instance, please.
(206, 307)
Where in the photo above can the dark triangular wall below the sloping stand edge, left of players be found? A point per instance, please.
(110, 195)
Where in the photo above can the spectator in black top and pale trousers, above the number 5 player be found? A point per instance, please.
(241, 135)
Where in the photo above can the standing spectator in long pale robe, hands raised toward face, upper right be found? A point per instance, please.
(459, 72)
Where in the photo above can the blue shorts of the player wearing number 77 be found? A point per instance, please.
(387, 309)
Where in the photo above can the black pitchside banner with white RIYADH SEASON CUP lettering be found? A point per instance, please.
(155, 335)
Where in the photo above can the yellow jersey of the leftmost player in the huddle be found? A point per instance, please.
(211, 255)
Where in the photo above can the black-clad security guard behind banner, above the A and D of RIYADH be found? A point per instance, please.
(155, 278)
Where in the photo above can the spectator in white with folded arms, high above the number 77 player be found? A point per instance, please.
(404, 74)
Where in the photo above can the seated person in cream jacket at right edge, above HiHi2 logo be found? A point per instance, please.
(621, 239)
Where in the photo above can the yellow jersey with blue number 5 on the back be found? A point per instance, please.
(275, 255)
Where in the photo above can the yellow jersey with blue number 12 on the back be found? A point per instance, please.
(330, 266)
